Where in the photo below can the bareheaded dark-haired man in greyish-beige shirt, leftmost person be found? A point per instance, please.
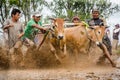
(13, 27)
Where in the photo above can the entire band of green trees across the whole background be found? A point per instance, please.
(60, 8)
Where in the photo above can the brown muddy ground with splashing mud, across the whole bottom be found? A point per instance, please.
(42, 65)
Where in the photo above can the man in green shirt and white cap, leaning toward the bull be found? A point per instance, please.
(32, 27)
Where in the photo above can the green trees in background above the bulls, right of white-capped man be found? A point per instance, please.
(82, 8)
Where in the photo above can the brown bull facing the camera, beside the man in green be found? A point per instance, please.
(56, 37)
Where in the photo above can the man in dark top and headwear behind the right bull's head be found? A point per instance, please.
(97, 21)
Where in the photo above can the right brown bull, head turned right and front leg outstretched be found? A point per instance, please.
(81, 38)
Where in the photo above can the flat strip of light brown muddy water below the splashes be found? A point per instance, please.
(61, 74)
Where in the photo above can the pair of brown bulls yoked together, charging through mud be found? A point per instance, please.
(79, 36)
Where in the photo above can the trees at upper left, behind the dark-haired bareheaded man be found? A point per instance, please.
(26, 6)
